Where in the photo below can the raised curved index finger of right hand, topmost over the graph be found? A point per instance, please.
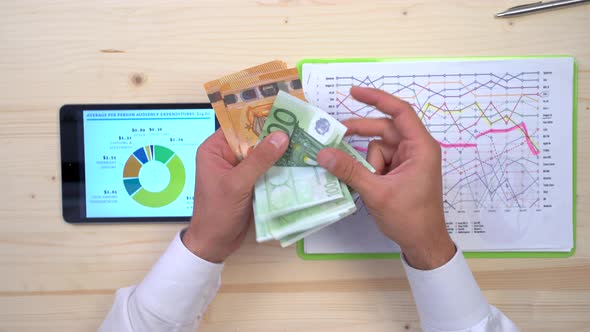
(405, 119)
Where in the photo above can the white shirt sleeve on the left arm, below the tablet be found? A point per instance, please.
(172, 297)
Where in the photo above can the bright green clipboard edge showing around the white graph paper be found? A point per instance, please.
(515, 254)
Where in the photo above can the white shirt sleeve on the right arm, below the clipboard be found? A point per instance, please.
(449, 299)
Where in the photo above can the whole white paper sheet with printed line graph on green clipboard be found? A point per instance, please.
(504, 127)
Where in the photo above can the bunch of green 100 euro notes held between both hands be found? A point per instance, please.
(296, 197)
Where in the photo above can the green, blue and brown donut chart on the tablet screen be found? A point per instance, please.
(154, 176)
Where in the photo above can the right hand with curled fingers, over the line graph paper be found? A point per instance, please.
(405, 194)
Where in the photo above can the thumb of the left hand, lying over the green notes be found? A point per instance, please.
(264, 155)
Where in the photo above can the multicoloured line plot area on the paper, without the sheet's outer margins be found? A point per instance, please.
(488, 125)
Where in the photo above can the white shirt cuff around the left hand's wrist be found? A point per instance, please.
(181, 285)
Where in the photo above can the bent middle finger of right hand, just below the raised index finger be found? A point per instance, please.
(382, 127)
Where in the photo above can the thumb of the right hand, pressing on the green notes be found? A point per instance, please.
(347, 169)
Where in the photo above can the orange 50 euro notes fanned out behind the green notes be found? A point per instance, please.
(243, 100)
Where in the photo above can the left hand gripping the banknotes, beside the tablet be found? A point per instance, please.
(223, 194)
